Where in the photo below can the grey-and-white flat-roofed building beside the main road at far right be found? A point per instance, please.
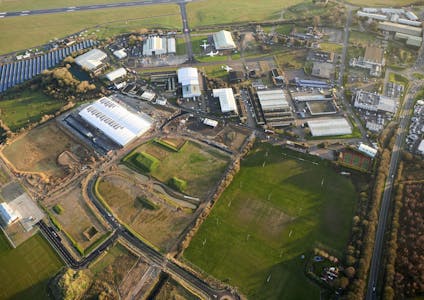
(375, 102)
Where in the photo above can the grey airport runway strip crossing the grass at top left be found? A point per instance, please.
(84, 8)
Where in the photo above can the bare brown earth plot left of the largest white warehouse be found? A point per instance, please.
(39, 151)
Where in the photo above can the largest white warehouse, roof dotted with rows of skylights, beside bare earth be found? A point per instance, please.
(115, 121)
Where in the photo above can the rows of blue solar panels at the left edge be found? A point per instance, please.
(17, 72)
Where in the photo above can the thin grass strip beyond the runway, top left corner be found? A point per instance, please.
(17, 5)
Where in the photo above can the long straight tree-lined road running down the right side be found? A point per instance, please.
(375, 267)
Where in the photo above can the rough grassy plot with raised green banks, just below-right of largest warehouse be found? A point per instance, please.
(200, 166)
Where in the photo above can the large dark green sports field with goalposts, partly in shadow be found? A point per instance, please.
(276, 209)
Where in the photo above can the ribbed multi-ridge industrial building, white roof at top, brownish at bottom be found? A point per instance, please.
(275, 107)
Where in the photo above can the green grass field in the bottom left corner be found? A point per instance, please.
(25, 271)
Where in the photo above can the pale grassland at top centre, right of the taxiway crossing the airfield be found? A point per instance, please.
(212, 12)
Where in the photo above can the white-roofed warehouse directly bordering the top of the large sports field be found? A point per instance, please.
(325, 127)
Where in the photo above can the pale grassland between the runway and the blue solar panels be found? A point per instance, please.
(39, 29)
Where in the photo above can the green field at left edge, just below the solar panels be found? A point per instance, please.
(27, 108)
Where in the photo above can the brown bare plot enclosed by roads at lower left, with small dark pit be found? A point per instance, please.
(76, 216)
